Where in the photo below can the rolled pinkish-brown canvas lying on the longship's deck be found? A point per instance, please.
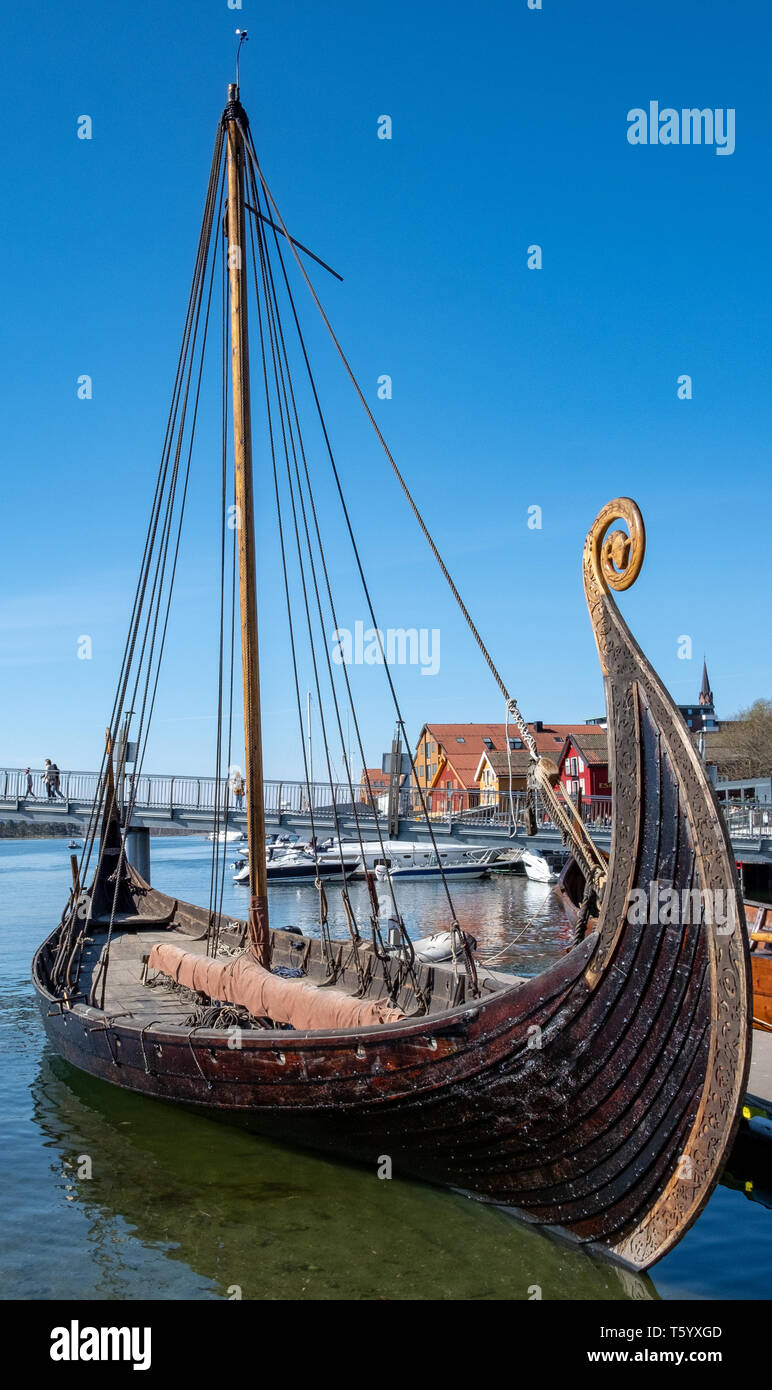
(266, 996)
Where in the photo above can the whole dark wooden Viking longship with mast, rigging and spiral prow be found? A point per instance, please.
(599, 1099)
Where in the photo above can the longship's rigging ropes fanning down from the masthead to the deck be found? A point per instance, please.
(151, 612)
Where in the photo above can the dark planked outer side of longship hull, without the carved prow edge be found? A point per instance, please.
(465, 1099)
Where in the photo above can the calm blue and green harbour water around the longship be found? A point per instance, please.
(180, 1207)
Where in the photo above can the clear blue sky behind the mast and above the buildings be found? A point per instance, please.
(511, 387)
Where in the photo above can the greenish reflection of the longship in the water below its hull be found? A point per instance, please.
(247, 1214)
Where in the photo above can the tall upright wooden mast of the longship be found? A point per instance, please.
(246, 533)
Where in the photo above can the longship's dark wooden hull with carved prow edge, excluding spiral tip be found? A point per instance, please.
(597, 1100)
